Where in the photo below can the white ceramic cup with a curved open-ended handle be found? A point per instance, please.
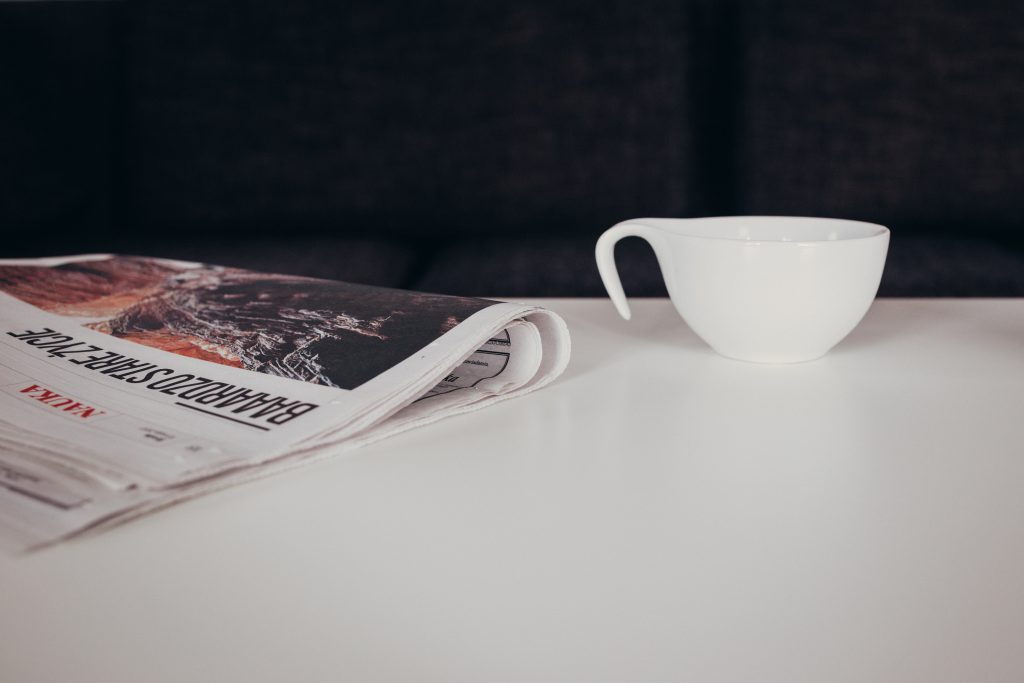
(765, 289)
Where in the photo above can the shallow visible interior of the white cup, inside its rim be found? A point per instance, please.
(777, 229)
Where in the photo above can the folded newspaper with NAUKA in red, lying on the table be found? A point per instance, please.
(132, 383)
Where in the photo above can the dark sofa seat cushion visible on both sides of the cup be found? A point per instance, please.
(916, 267)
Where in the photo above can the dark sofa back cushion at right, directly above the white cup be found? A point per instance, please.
(906, 114)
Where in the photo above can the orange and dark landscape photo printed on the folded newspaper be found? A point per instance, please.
(324, 332)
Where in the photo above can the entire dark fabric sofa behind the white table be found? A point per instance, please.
(480, 149)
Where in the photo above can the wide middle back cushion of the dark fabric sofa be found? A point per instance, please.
(406, 118)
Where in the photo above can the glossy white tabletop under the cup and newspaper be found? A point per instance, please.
(659, 515)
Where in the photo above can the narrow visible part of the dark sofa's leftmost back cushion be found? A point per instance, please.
(58, 114)
